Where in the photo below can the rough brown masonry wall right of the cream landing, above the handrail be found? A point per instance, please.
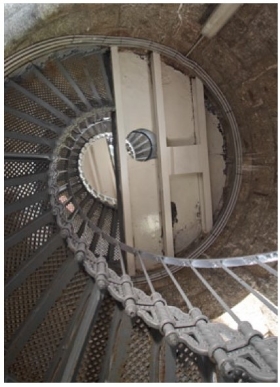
(242, 60)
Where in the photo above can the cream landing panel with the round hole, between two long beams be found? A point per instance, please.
(137, 99)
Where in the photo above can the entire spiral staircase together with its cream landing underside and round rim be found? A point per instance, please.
(122, 165)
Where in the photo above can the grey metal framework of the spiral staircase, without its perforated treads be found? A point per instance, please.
(231, 350)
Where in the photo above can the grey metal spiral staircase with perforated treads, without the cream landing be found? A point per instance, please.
(72, 311)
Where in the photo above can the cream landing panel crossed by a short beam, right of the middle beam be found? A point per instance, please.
(185, 155)
